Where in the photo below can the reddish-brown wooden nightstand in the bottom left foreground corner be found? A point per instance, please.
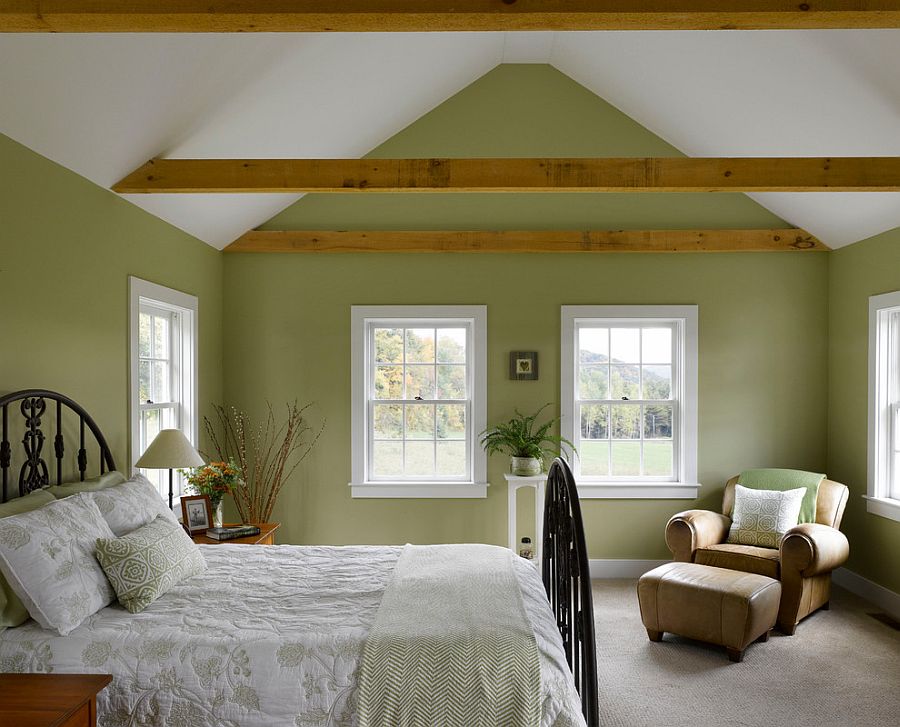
(50, 700)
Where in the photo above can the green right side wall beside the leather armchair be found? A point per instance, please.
(866, 268)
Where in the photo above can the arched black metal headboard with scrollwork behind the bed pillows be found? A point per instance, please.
(34, 472)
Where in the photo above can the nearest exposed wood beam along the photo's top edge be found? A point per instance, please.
(273, 16)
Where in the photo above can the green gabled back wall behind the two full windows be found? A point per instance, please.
(762, 316)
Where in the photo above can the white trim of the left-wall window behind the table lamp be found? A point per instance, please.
(187, 305)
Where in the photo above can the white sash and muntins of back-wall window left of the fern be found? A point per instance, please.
(371, 401)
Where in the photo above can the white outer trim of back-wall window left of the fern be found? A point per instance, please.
(359, 487)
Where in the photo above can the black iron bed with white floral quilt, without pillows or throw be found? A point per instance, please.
(272, 635)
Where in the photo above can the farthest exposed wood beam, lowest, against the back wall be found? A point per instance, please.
(317, 241)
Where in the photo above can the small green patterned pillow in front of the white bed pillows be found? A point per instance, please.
(149, 561)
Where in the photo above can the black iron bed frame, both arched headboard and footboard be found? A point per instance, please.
(565, 570)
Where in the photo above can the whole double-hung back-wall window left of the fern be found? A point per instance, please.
(418, 394)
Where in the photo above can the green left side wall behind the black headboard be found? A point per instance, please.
(67, 248)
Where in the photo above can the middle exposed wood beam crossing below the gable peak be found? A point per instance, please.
(675, 174)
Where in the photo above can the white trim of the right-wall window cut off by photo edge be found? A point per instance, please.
(882, 344)
